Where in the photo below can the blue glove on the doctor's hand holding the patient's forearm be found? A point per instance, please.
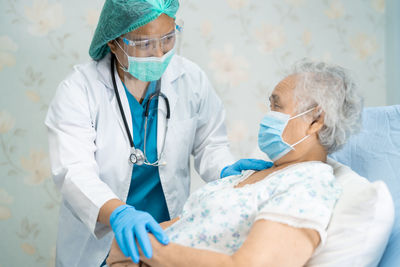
(131, 225)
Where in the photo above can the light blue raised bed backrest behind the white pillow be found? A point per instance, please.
(375, 154)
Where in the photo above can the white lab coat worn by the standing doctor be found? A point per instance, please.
(89, 149)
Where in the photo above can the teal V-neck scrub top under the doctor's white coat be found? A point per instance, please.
(145, 191)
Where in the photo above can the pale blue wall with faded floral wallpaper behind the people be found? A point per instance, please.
(245, 47)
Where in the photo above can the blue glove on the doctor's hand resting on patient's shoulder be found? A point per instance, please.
(245, 164)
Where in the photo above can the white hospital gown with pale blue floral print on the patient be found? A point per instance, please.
(218, 217)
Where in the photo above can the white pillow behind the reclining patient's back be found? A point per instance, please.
(361, 222)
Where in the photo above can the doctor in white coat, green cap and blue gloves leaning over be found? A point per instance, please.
(121, 131)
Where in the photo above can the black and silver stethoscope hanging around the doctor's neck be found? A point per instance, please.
(137, 156)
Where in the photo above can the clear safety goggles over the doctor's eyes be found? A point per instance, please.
(165, 42)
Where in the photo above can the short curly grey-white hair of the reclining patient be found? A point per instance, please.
(330, 88)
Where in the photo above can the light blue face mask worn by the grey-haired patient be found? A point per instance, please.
(270, 134)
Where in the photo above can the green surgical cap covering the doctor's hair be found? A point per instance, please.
(122, 16)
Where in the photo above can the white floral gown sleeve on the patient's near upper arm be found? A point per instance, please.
(304, 203)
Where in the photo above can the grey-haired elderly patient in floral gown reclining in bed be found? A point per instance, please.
(278, 216)
